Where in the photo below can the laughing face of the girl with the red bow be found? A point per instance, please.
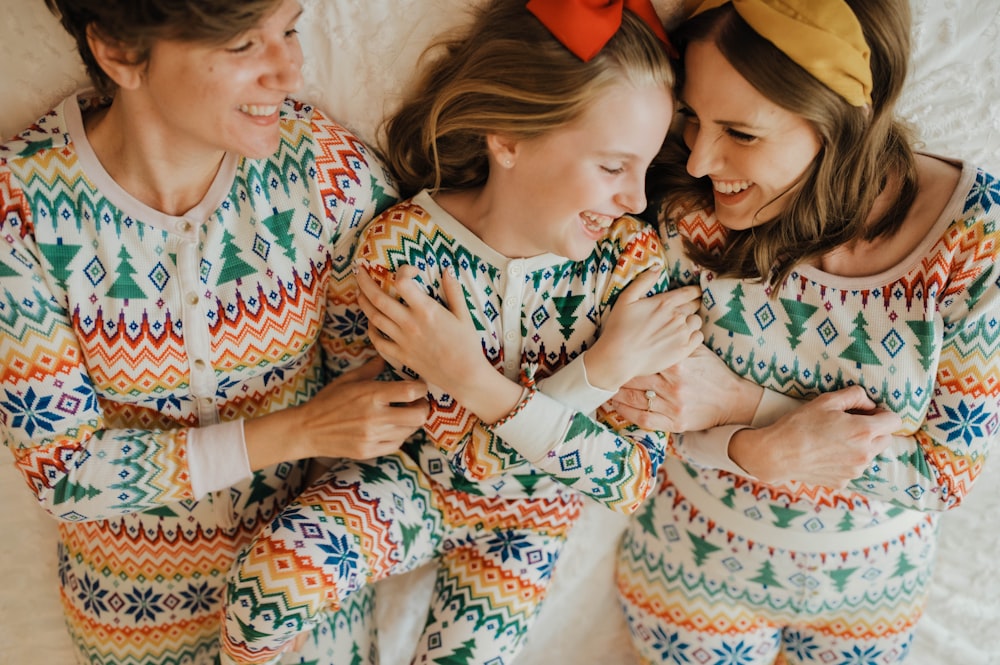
(573, 182)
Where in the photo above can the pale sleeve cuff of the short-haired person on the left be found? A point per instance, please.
(217, 457)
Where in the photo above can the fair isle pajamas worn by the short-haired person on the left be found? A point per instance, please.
(134, 341)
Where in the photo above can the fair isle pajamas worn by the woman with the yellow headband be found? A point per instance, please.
(720, 568)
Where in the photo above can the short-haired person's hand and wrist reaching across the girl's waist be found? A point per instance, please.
(354, 416)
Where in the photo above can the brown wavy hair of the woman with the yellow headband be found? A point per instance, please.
(862, 149)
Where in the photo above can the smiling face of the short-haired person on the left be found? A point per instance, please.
(226, 98)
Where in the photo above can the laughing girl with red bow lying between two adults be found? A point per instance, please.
(523, 151)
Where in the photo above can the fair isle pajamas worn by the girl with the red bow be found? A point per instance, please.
(492, 505)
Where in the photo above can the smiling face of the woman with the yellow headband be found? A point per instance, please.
(749, 147)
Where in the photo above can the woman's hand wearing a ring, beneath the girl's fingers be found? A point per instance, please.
(696, 393)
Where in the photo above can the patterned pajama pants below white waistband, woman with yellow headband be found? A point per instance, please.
(696, 592)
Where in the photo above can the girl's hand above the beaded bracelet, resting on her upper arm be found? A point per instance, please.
(438, 342)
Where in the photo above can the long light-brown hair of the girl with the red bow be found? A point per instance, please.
(504, 74)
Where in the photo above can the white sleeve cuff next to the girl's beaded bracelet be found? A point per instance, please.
(537, 422)
